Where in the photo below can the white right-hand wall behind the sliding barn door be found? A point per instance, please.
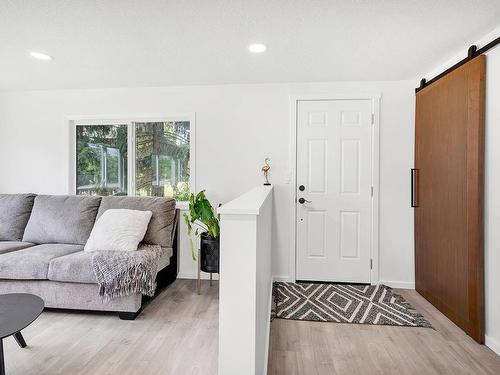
(492, 183)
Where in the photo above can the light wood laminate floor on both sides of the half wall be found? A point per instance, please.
(177, 334)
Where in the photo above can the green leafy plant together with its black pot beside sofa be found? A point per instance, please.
(205, 222)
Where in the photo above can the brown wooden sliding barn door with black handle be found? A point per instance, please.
(448, 195)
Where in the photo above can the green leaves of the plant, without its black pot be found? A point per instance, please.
(202, 218)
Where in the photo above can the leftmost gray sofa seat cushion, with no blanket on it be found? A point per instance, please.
(33, 263)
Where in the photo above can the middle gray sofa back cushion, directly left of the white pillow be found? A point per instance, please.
(61, 219)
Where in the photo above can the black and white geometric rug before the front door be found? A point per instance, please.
(343, 303)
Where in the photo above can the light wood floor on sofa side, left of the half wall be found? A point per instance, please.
(177, 333)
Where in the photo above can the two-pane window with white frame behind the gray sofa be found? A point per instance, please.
(134, 157)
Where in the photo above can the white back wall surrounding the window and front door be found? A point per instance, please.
(237, 127)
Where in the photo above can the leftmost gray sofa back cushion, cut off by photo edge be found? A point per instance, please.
(15, 210)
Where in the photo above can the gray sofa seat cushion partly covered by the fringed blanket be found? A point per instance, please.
(77, 267)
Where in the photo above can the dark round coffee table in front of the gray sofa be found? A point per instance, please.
(17, 311)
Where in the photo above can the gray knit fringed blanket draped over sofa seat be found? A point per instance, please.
(121, 273)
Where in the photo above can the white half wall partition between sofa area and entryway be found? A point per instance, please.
(245, 286)
